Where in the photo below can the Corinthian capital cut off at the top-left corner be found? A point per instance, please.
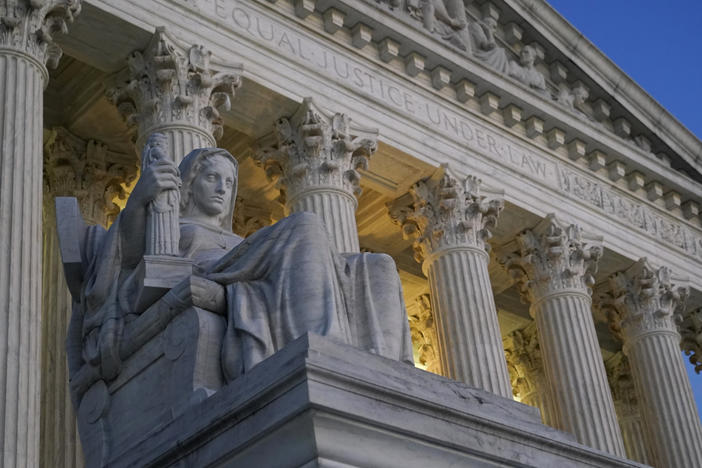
(29, 26)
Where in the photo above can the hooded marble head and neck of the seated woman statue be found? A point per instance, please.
(209, 185)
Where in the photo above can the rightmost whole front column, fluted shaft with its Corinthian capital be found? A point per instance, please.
(646, 303)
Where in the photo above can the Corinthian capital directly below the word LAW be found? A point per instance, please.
(552, 258)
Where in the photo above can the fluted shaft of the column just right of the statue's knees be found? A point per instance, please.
(466, 317)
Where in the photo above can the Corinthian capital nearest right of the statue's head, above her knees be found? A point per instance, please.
(316, 149)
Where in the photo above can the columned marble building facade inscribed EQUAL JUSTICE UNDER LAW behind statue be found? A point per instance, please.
(543, 211)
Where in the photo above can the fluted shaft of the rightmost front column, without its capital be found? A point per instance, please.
(671, 422)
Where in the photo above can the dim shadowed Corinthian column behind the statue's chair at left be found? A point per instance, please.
(95, 176)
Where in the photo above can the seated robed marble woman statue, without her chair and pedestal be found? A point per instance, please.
(279, 283)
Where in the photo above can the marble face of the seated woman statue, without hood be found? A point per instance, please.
(212, 187)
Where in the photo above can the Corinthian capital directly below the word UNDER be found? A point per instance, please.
(446, 211)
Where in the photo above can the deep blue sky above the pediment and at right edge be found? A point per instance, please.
(657, 43)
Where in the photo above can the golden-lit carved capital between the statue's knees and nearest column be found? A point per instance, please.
(423, 332)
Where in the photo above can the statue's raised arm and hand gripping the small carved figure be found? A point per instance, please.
(157, 177)
